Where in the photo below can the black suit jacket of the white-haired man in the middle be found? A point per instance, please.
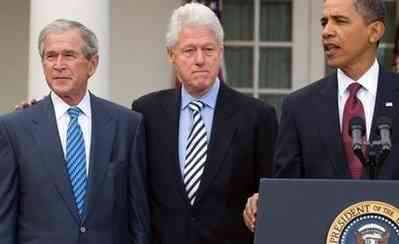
(239, 154)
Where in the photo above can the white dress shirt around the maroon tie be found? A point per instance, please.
(367, 94)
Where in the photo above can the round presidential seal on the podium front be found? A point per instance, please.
(369, 222)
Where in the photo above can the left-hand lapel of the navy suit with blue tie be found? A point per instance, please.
(54, 161)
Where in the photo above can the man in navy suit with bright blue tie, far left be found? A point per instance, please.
(72, 166)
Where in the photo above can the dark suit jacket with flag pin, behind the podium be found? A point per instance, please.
(309, 143)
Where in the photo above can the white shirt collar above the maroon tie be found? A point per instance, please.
(368, 80)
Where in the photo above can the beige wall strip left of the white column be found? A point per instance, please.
(14, 42)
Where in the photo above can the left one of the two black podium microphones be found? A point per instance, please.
(357, 130)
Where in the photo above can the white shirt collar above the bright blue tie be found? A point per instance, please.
(60, 107)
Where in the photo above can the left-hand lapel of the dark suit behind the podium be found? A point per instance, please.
(329, 127)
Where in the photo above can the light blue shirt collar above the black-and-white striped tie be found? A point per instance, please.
(209, 99)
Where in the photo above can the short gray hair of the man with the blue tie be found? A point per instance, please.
(90, 47)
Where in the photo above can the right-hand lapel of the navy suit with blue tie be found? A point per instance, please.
(102, 136)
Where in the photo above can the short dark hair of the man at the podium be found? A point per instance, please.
(371, 10)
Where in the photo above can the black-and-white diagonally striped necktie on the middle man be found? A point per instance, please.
(196, 152)
